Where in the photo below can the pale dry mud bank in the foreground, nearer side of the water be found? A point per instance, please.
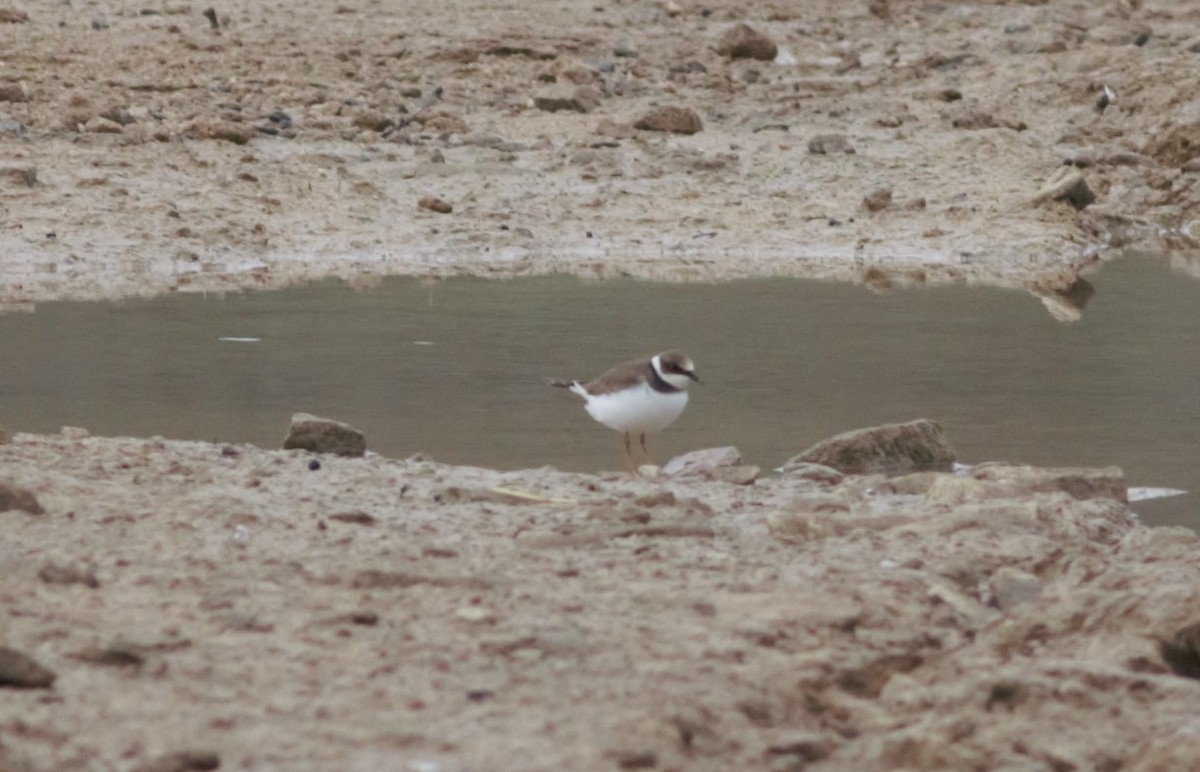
(376, 614)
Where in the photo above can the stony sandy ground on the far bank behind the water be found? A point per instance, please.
(123, 171)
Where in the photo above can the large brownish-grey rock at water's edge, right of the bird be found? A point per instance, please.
(913, 447)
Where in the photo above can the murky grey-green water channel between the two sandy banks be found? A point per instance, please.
(457, 369)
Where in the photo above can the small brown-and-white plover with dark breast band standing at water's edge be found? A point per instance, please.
(638, 397)
